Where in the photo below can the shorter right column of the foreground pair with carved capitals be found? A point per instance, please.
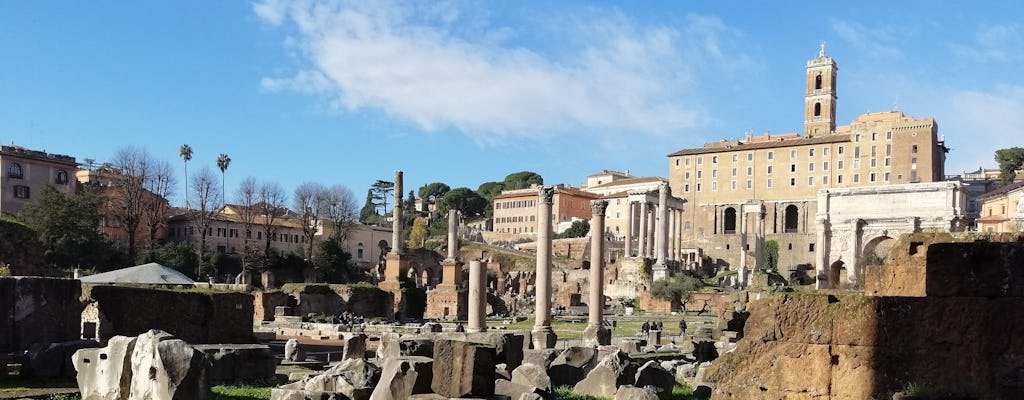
(596, 334)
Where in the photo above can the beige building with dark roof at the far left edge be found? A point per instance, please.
(26, 172)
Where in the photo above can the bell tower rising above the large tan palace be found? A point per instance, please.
(820, 101)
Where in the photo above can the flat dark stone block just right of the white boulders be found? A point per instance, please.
(239, 364)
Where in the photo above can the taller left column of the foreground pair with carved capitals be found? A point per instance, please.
(544, 336)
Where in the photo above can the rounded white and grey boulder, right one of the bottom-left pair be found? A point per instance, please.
(165, 368)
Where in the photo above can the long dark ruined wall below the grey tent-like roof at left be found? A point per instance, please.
(193, 317)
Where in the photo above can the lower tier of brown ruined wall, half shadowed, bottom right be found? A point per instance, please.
(857, 347)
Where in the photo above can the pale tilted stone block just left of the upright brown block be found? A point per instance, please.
(403, 378)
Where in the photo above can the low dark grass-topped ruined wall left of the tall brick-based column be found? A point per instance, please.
(336, 299)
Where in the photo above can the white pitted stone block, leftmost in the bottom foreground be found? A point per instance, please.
(106, 373)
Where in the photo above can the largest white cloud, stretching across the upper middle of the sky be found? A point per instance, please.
(442, 67)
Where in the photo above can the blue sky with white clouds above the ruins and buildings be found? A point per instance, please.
(465, 93)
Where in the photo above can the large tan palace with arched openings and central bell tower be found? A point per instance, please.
(786, 172)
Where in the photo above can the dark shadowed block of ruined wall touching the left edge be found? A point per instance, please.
(38, 310)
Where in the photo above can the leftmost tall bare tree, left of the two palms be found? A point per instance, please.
(133, 166)
